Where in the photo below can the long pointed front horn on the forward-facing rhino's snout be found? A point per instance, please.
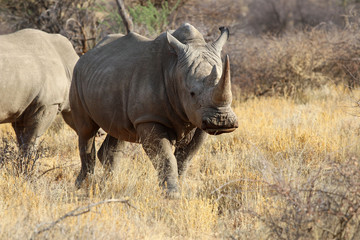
(222, 91)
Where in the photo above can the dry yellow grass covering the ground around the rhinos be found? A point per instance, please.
(234, 186)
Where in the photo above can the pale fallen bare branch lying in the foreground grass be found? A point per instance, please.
(76, 212)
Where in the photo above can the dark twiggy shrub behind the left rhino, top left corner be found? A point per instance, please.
(71, 18)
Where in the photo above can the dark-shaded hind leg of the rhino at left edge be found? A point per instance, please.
(28, 130)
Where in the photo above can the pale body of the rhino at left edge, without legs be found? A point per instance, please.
(36, 70)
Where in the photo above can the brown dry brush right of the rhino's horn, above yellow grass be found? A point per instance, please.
(288, 65)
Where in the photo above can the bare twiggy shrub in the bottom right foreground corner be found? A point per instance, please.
(326, 206)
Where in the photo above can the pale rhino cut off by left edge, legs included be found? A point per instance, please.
(36, 71)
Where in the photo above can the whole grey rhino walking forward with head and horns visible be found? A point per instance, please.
(161, 93)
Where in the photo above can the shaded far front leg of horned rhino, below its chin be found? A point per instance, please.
(185, 152)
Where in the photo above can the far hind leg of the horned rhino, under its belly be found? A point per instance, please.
(109, 151)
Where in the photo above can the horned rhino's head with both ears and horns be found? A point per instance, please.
(204, 82)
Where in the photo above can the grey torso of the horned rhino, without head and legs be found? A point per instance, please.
(120, 85)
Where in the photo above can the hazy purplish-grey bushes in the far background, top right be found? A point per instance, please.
(278, 16)
